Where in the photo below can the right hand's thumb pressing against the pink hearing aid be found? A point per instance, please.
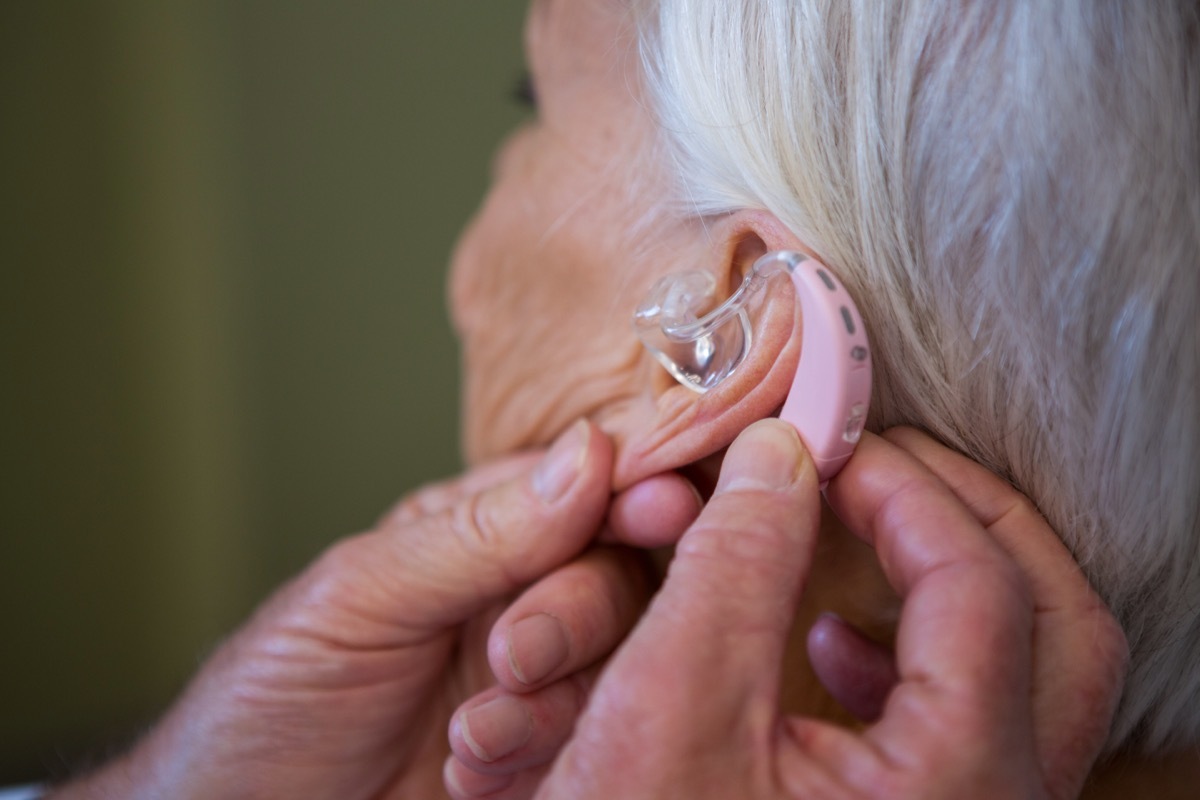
(698, 682)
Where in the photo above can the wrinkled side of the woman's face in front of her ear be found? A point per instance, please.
(545, 279)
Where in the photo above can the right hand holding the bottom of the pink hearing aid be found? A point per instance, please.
(1006, 673)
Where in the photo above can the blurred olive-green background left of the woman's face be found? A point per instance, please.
(225, 236)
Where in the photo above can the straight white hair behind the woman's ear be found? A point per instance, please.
(1012, 193)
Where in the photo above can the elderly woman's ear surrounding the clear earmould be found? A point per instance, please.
(686, 428)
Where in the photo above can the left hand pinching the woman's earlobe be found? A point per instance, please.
(343, 685)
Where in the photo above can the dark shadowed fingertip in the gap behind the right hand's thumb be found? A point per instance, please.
(857, 672)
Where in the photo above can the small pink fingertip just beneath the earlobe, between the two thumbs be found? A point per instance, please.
(655, 513)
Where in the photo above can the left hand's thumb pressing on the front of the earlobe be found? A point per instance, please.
(437, 572)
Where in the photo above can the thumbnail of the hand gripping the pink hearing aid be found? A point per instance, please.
(765, 458)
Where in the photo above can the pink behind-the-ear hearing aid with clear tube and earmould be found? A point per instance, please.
(831, 393)
